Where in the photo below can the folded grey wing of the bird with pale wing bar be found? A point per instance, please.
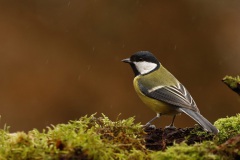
(174, 95)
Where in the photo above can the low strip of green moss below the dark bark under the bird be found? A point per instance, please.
(203, 151)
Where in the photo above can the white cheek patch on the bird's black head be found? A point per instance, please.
(144, 67)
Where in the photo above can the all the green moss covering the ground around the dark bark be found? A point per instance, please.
(100, 138)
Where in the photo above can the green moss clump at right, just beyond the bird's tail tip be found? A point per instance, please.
(228, 127)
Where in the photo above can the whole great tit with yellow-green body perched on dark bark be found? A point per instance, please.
(162, 92)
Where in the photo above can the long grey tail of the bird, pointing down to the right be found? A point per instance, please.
(200, 120)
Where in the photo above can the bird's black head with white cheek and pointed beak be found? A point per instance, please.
(143, 62)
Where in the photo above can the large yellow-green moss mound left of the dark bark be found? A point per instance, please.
(89, 137)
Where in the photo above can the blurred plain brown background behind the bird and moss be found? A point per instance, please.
(61, 59)
